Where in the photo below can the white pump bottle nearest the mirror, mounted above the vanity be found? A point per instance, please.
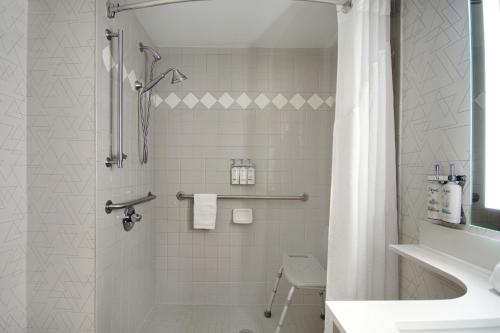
(451, 209)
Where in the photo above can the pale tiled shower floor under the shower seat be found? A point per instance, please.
(229, 319)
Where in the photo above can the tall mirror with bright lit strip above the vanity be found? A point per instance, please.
(485, 92)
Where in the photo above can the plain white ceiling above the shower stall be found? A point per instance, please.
(241, 24)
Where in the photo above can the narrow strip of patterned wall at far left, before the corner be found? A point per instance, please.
(13, 201)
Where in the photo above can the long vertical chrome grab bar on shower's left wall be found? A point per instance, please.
(118, 160)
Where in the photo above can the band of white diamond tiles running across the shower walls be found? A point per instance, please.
(242, 100)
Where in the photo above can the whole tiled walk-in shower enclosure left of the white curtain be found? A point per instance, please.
(263, 92)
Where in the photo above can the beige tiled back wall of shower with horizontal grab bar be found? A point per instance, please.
(284, 125)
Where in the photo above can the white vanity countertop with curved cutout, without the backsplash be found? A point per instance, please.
(479, 303)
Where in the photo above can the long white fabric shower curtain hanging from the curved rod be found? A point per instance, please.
(363, 209)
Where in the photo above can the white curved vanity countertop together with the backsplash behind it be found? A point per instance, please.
(478, 309)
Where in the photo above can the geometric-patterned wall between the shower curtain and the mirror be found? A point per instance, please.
(435, 122)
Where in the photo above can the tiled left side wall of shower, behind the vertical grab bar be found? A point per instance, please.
(124, 259)
